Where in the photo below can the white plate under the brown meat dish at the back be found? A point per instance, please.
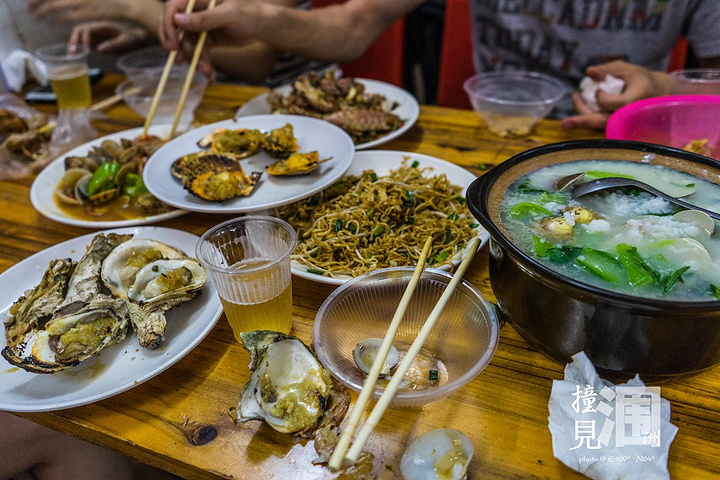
(408, 107)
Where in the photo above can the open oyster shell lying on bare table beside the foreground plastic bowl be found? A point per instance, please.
(288, 388)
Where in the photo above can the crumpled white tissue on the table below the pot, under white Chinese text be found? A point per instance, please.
(609, 432)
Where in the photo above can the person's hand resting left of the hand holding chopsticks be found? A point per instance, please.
(109, 37)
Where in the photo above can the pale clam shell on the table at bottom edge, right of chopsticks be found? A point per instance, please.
(441, 454)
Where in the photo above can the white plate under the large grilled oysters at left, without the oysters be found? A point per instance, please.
(117, 368)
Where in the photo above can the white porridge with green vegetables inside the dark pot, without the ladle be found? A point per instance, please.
(625, 240)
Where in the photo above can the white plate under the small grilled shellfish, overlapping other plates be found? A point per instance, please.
(270, 191)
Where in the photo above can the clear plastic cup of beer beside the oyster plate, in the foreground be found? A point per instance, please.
(249, 262)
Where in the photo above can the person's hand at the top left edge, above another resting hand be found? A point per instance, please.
(72, 11)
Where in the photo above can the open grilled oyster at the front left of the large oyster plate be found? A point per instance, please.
(69, 339)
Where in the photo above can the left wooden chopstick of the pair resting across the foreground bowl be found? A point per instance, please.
(346, 437)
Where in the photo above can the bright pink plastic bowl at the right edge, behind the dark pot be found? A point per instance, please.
(673, 121)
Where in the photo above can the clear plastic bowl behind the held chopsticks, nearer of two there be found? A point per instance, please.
(138, 94)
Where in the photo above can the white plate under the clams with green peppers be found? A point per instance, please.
(42, 192)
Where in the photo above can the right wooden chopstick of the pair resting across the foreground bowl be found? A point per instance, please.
(402, 369)
